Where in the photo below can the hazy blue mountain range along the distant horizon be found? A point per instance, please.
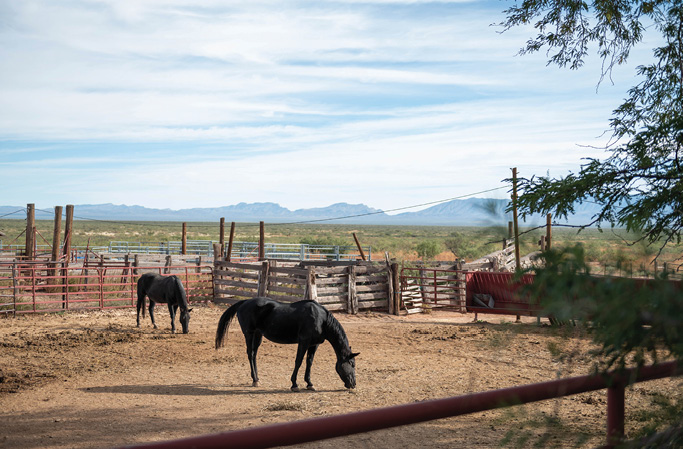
(469, 212)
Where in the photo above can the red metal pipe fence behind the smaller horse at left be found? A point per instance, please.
(49, 287)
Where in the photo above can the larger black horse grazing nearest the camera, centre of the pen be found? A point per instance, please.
(305, 323)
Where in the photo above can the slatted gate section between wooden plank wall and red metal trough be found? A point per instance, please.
(426, 288)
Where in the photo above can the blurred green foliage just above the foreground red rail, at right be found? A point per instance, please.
(633, 322)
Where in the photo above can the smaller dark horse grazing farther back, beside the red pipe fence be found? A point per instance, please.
(166, 290)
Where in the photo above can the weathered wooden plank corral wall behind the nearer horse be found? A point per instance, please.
(338, 286)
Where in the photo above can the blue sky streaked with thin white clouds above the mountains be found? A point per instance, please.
(182, 103)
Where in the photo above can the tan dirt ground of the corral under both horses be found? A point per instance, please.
(92, 379)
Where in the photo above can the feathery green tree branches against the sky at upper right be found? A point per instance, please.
(640, 185)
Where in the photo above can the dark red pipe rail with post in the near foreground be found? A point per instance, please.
(316, 429)
